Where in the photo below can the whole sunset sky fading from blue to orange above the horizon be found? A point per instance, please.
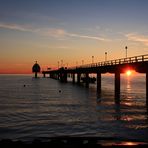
(69, 32)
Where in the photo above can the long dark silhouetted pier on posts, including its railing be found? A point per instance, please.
(118, 66)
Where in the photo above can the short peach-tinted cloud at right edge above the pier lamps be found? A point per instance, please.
(137, 38)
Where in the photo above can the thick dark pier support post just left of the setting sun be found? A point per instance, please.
(117, 86)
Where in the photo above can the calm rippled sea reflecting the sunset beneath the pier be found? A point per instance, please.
(48, 108)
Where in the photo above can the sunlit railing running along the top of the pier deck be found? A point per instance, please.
(135, 59)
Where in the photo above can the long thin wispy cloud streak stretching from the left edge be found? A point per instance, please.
(52, 32)
